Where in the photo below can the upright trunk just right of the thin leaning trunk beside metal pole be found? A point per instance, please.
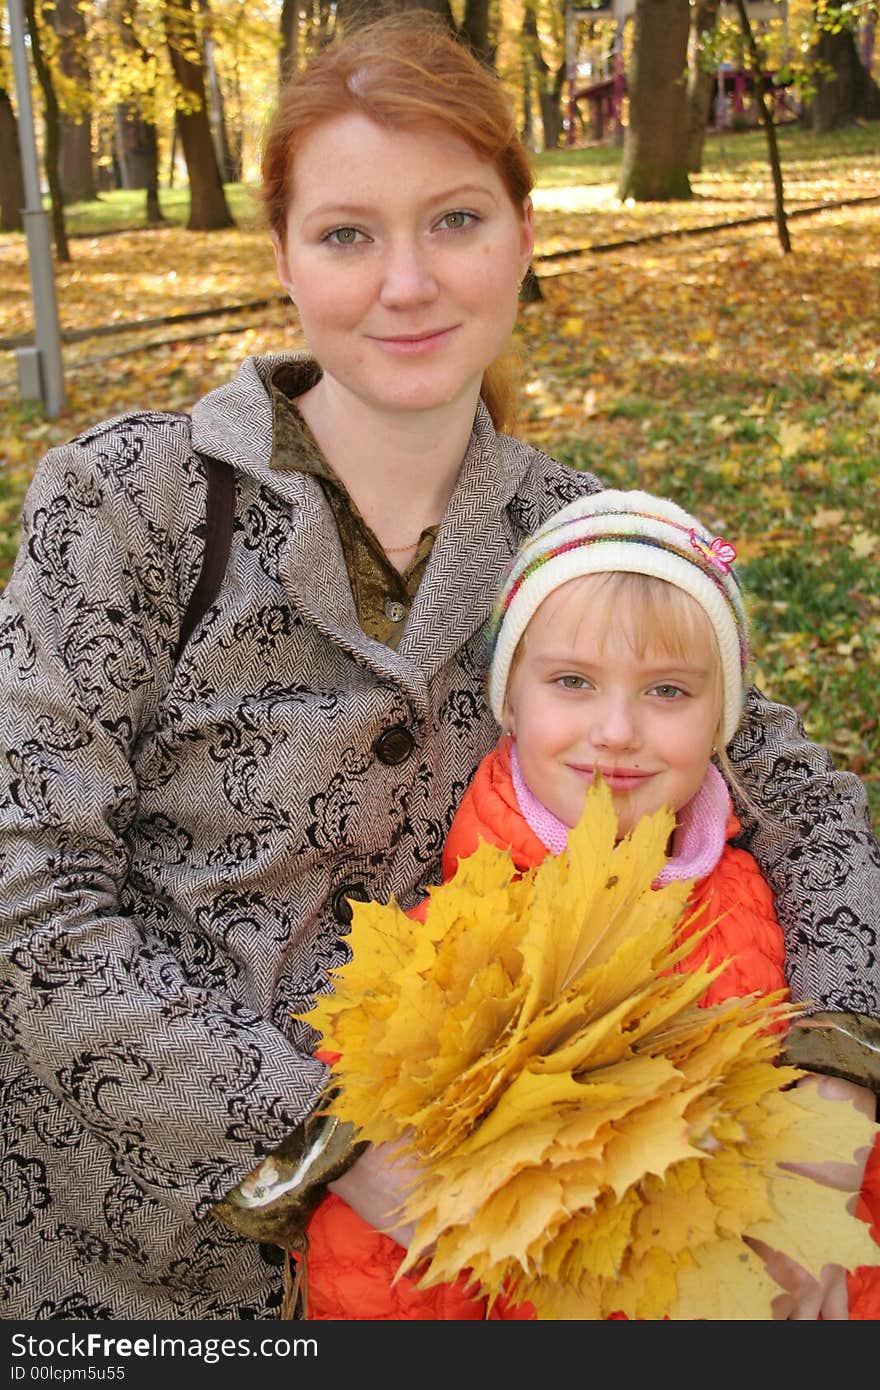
(76, 169)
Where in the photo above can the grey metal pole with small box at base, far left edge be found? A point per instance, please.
(40, 370)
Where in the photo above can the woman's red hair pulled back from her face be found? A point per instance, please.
(405, 72)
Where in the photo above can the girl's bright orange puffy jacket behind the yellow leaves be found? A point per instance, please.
(352, 1267)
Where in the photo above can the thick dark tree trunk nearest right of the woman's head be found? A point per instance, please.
(655, 148)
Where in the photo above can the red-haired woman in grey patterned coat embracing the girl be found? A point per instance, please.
(181, 842)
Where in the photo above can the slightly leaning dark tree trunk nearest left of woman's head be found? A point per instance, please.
(208, 202)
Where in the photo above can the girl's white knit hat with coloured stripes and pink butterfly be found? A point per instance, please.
(635, 533)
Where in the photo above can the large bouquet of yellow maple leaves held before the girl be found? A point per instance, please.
(587, 1136)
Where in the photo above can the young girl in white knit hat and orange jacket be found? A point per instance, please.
(621, 653)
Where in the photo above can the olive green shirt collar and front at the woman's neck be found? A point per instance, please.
(383, 596)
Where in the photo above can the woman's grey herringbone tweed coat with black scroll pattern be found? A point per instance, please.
(179, 843)
